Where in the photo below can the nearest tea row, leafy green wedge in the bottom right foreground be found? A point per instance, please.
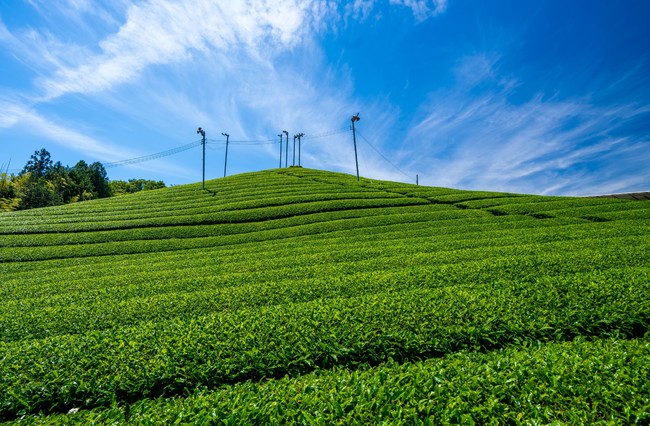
(583, 382)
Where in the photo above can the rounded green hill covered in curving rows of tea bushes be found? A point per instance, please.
(303, 296)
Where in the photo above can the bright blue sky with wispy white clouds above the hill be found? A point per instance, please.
(544, 97)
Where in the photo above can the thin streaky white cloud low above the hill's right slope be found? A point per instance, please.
(474, 136)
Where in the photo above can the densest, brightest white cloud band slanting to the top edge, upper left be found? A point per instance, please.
(159, 32)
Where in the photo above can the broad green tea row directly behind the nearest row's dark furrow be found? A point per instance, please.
(167, 357)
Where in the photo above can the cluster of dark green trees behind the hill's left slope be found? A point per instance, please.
(43, 183)
